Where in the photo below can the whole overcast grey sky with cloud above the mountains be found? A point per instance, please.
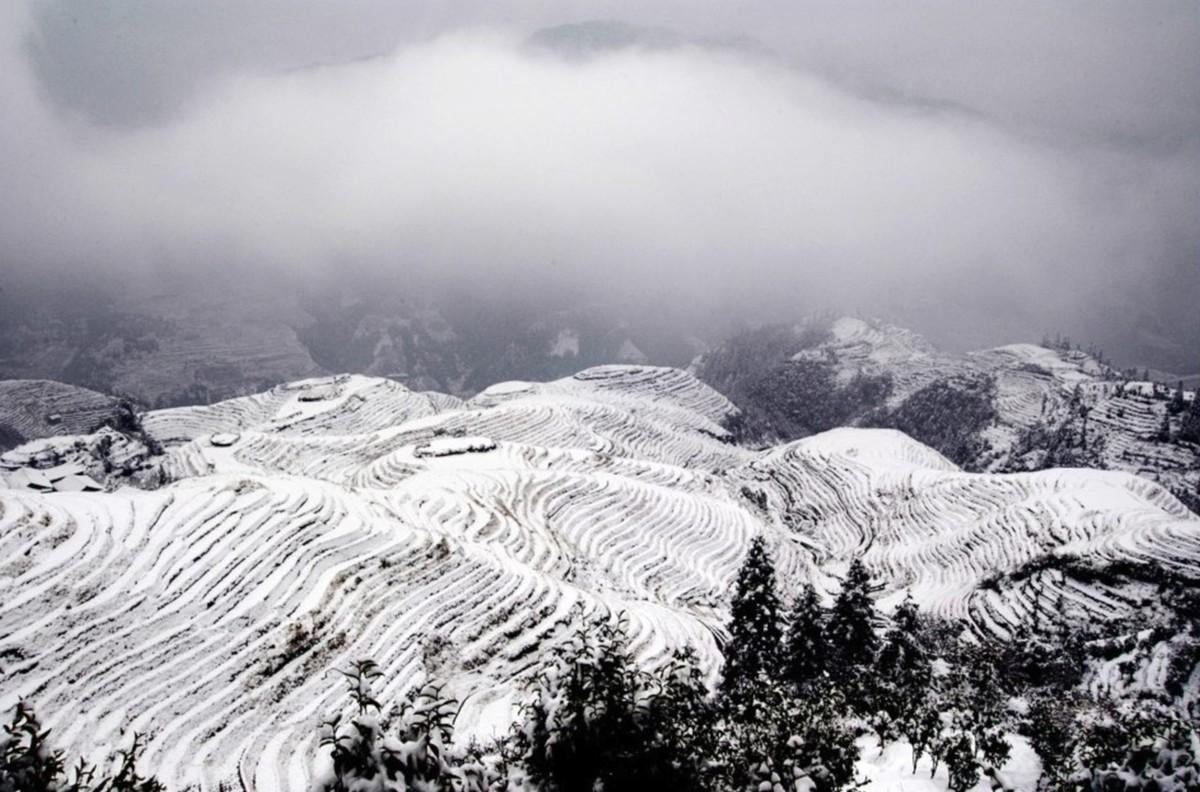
(1004, 166)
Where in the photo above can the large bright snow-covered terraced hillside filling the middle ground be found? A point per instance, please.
(345, 518)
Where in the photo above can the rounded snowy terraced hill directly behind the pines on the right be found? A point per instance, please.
(925, 527)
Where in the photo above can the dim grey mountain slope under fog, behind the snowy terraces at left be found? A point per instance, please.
(199, 346)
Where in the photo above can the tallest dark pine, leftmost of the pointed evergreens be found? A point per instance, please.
(755, 635)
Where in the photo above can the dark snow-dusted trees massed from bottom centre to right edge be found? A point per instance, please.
(802, 685)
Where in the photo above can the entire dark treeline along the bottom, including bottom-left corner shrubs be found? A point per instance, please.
(805, 692)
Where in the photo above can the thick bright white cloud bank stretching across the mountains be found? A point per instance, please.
(692, 172)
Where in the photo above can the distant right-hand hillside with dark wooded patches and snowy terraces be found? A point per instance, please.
(1012, 409)
